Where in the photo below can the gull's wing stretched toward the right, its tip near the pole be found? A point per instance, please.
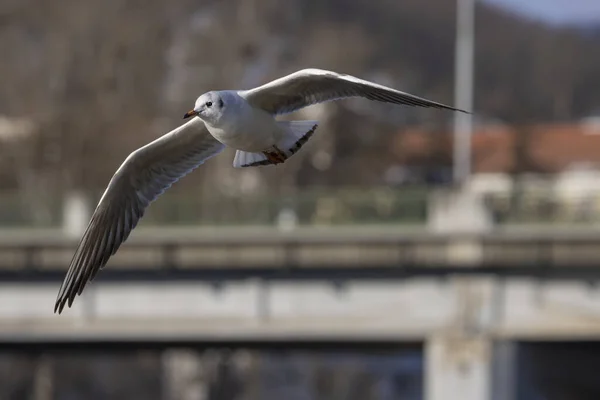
(312, 86)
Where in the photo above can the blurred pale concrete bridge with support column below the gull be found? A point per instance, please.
(463, 298)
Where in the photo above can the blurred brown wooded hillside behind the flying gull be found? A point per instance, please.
(106, 77)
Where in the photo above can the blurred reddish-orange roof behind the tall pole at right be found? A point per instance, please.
(545, 148)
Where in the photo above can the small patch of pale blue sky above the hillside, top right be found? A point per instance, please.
(556, 11)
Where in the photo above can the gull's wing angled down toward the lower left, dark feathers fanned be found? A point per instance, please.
(144, 175)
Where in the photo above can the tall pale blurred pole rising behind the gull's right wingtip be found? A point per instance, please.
(463, 91)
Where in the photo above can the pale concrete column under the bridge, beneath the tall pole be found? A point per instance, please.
(458, 368)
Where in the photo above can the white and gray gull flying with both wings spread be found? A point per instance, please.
(241, 119)
